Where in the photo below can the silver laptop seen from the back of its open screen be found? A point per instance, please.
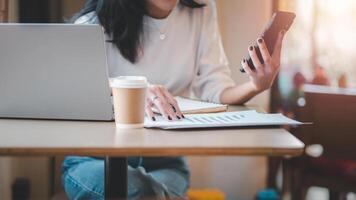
(54, 71)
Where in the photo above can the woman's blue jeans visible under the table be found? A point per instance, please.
(156, 178)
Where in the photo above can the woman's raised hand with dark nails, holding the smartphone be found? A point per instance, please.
(263, 76)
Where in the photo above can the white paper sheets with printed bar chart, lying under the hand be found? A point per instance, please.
(225, 119)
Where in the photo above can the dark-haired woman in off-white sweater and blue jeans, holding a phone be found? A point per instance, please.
(177, 46)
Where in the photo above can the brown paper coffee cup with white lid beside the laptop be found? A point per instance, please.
(129, 98)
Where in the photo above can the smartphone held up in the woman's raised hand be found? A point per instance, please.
(279, 21)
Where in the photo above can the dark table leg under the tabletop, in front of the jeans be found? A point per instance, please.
(116, 178)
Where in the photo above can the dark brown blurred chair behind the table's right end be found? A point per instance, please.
(333, 113)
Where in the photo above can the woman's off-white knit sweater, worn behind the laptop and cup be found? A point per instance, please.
(189, 61)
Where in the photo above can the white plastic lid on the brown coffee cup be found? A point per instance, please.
(129, 82)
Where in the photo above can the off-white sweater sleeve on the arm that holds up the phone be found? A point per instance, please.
(213, 74)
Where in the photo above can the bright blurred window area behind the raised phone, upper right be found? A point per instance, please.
(319, 48)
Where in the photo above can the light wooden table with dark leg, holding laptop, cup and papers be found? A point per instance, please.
(48, 138)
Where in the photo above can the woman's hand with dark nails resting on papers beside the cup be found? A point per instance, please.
(164, 102)
